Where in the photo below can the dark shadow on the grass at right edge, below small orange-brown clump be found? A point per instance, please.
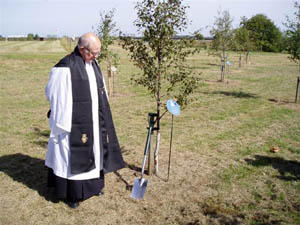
(289, 169)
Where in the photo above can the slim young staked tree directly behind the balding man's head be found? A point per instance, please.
(105, 31)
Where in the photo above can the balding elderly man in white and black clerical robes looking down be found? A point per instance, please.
(83, 144)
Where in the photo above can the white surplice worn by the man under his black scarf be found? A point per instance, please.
(59, 94)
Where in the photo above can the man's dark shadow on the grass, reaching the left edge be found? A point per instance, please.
(29, 171)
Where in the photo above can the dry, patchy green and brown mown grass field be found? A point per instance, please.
(222, 169)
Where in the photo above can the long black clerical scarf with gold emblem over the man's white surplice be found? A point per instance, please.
(81, 137)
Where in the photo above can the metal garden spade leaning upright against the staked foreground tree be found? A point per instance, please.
(140, 184)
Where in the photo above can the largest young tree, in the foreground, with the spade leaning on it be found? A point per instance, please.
(161, 59)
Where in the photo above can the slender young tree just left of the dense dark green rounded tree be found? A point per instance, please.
(222, 34)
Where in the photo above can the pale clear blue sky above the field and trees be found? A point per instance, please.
(75, 17)
